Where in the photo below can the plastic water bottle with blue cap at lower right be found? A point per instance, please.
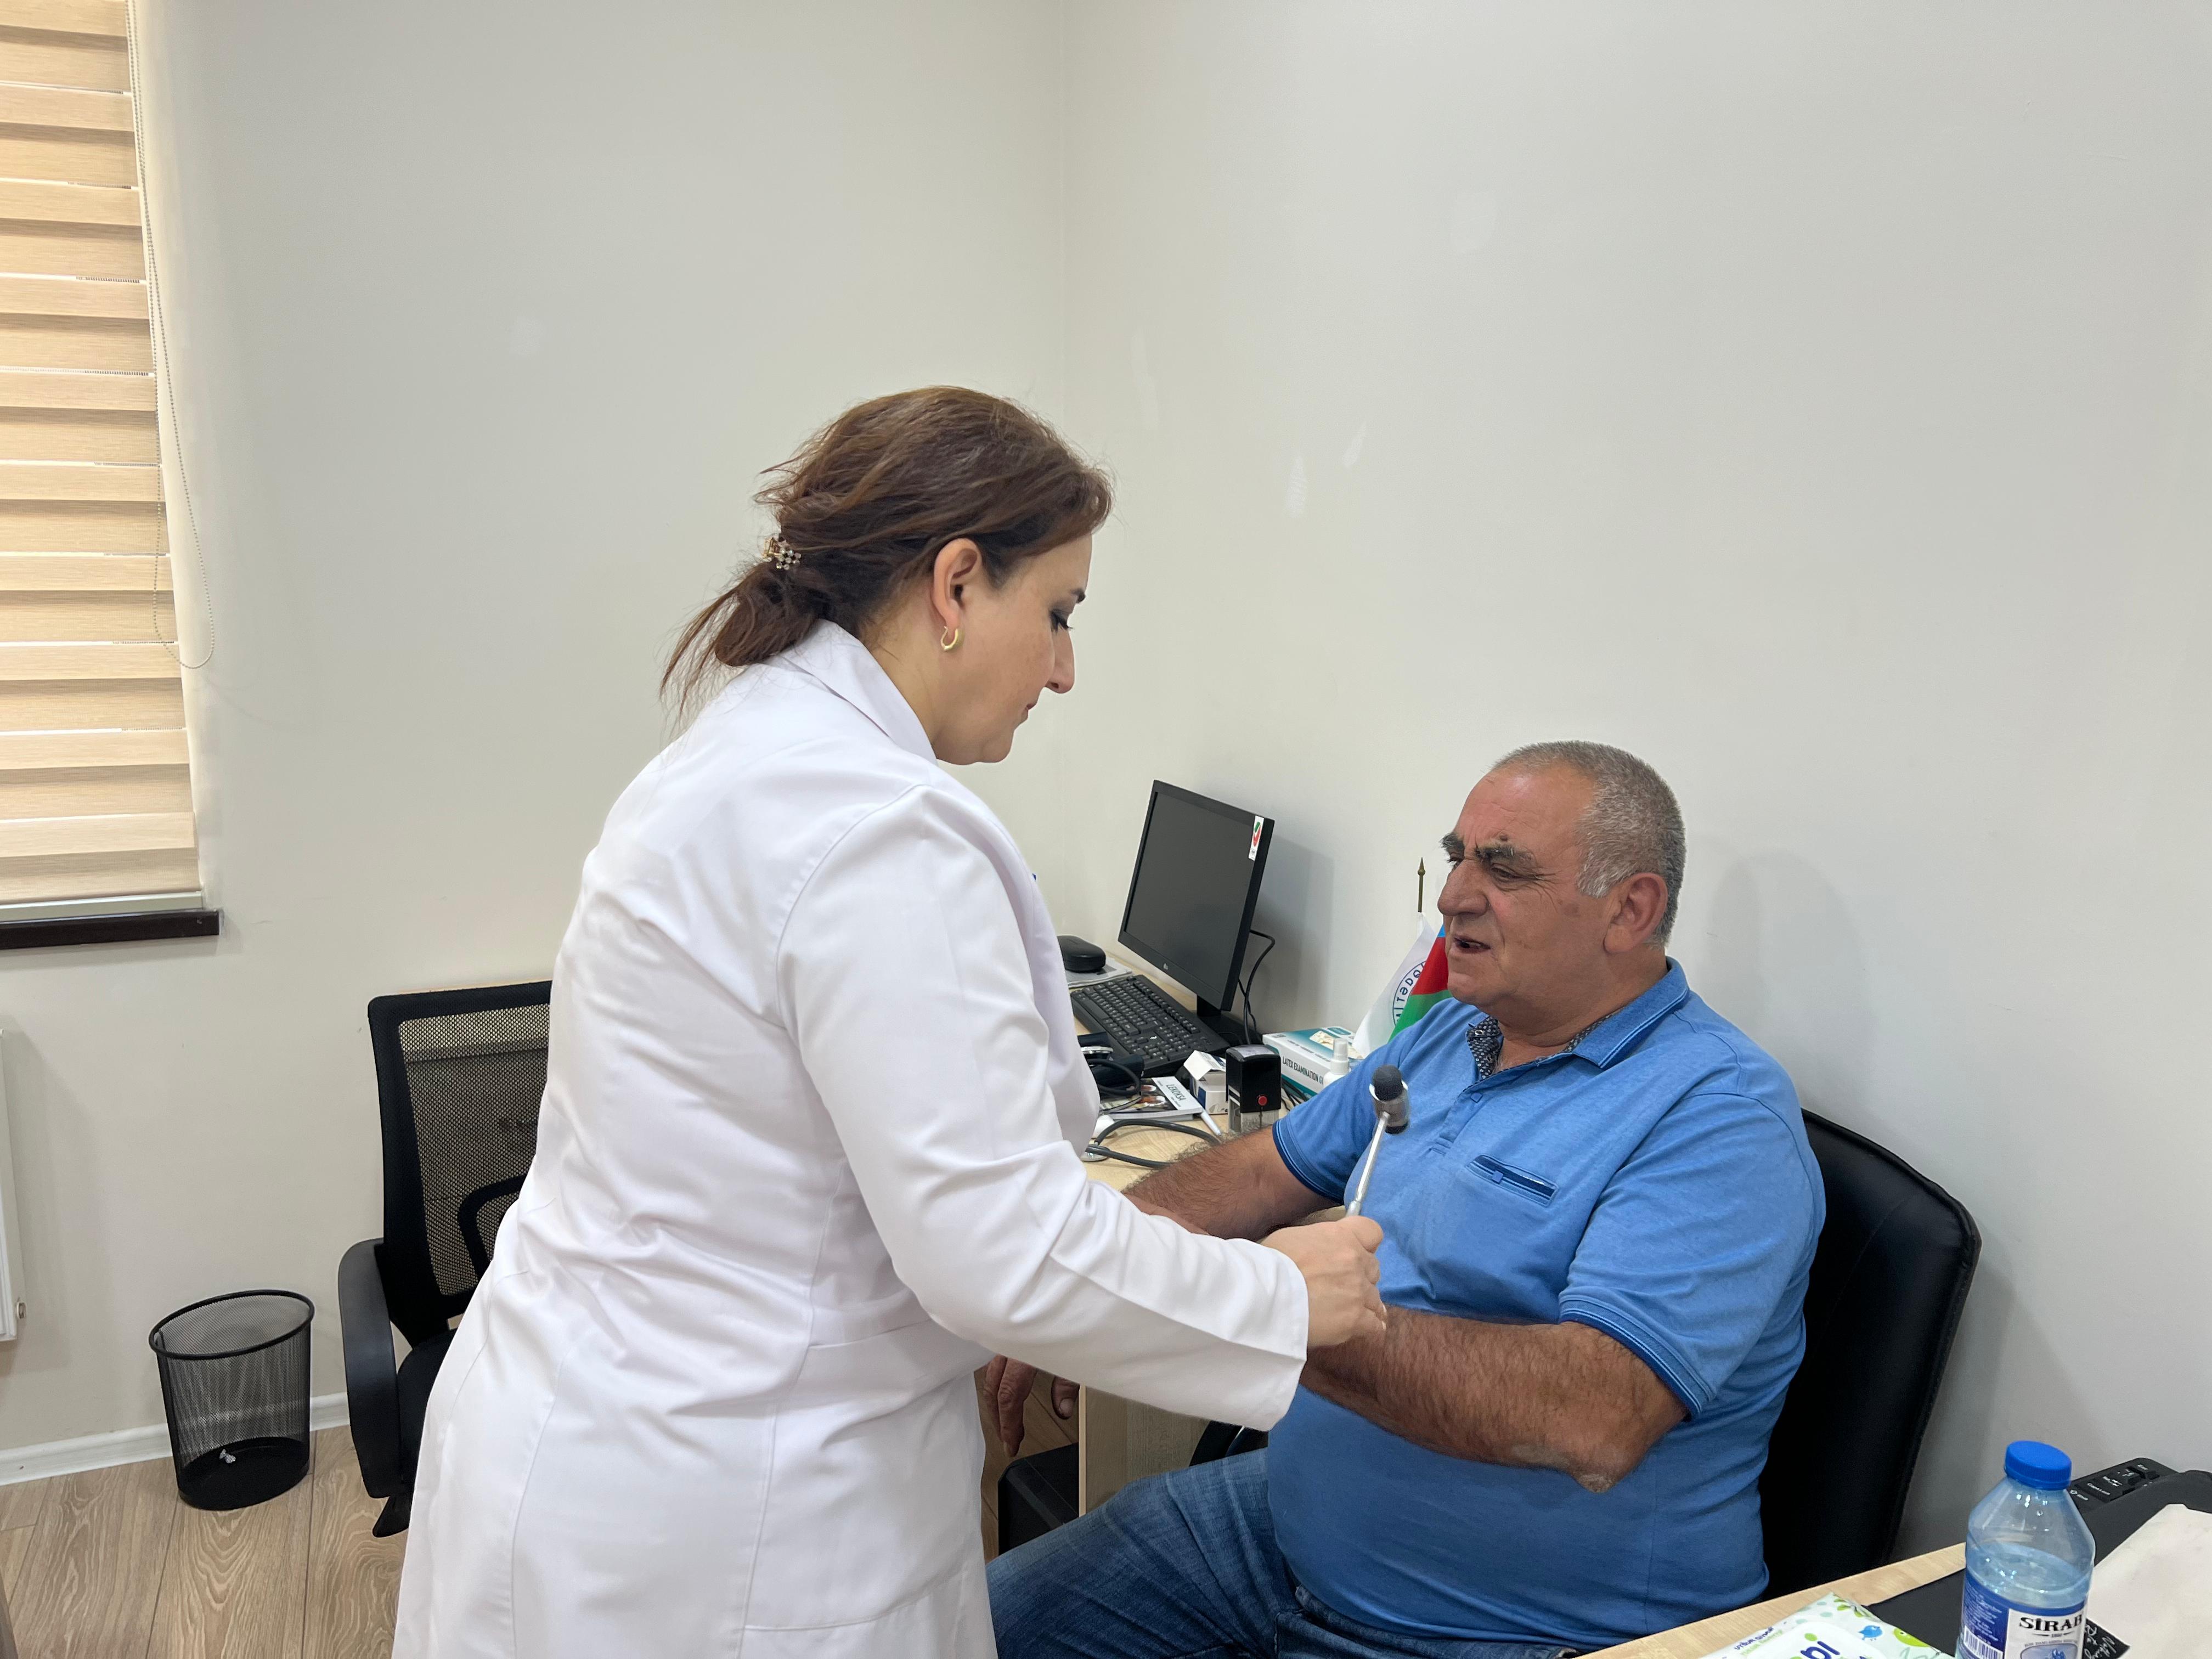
(2027, 1563)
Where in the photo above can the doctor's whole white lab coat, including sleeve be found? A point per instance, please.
(808, 1156)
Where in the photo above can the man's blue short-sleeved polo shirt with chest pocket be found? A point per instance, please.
(1656, 1185)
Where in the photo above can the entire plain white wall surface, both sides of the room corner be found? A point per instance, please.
(1813, 399)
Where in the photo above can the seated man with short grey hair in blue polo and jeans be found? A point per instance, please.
(1598, 1231)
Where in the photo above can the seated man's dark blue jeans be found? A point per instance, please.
(1185, 1567)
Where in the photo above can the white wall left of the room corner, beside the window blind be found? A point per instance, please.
(486, 322)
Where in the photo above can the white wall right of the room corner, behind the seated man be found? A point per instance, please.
(1813, 399)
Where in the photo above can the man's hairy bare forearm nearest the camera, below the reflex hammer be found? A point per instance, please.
(1532, 1397)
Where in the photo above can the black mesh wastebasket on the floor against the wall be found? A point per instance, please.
(236, 1390)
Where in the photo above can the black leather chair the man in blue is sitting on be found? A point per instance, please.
(1888, 1288)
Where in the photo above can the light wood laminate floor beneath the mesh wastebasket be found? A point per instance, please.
(112, 1565)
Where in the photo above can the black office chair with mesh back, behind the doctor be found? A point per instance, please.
(459, 1078)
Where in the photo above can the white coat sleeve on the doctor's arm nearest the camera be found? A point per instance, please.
(908, 990)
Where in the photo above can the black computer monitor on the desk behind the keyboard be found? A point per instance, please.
(1193, 893)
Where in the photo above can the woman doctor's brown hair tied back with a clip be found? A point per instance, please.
(873, 499)
